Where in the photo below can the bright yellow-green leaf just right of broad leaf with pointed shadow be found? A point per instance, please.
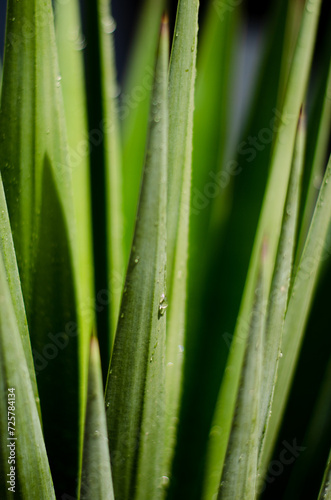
(70, 43)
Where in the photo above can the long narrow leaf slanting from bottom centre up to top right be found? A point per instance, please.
(269, 226)
